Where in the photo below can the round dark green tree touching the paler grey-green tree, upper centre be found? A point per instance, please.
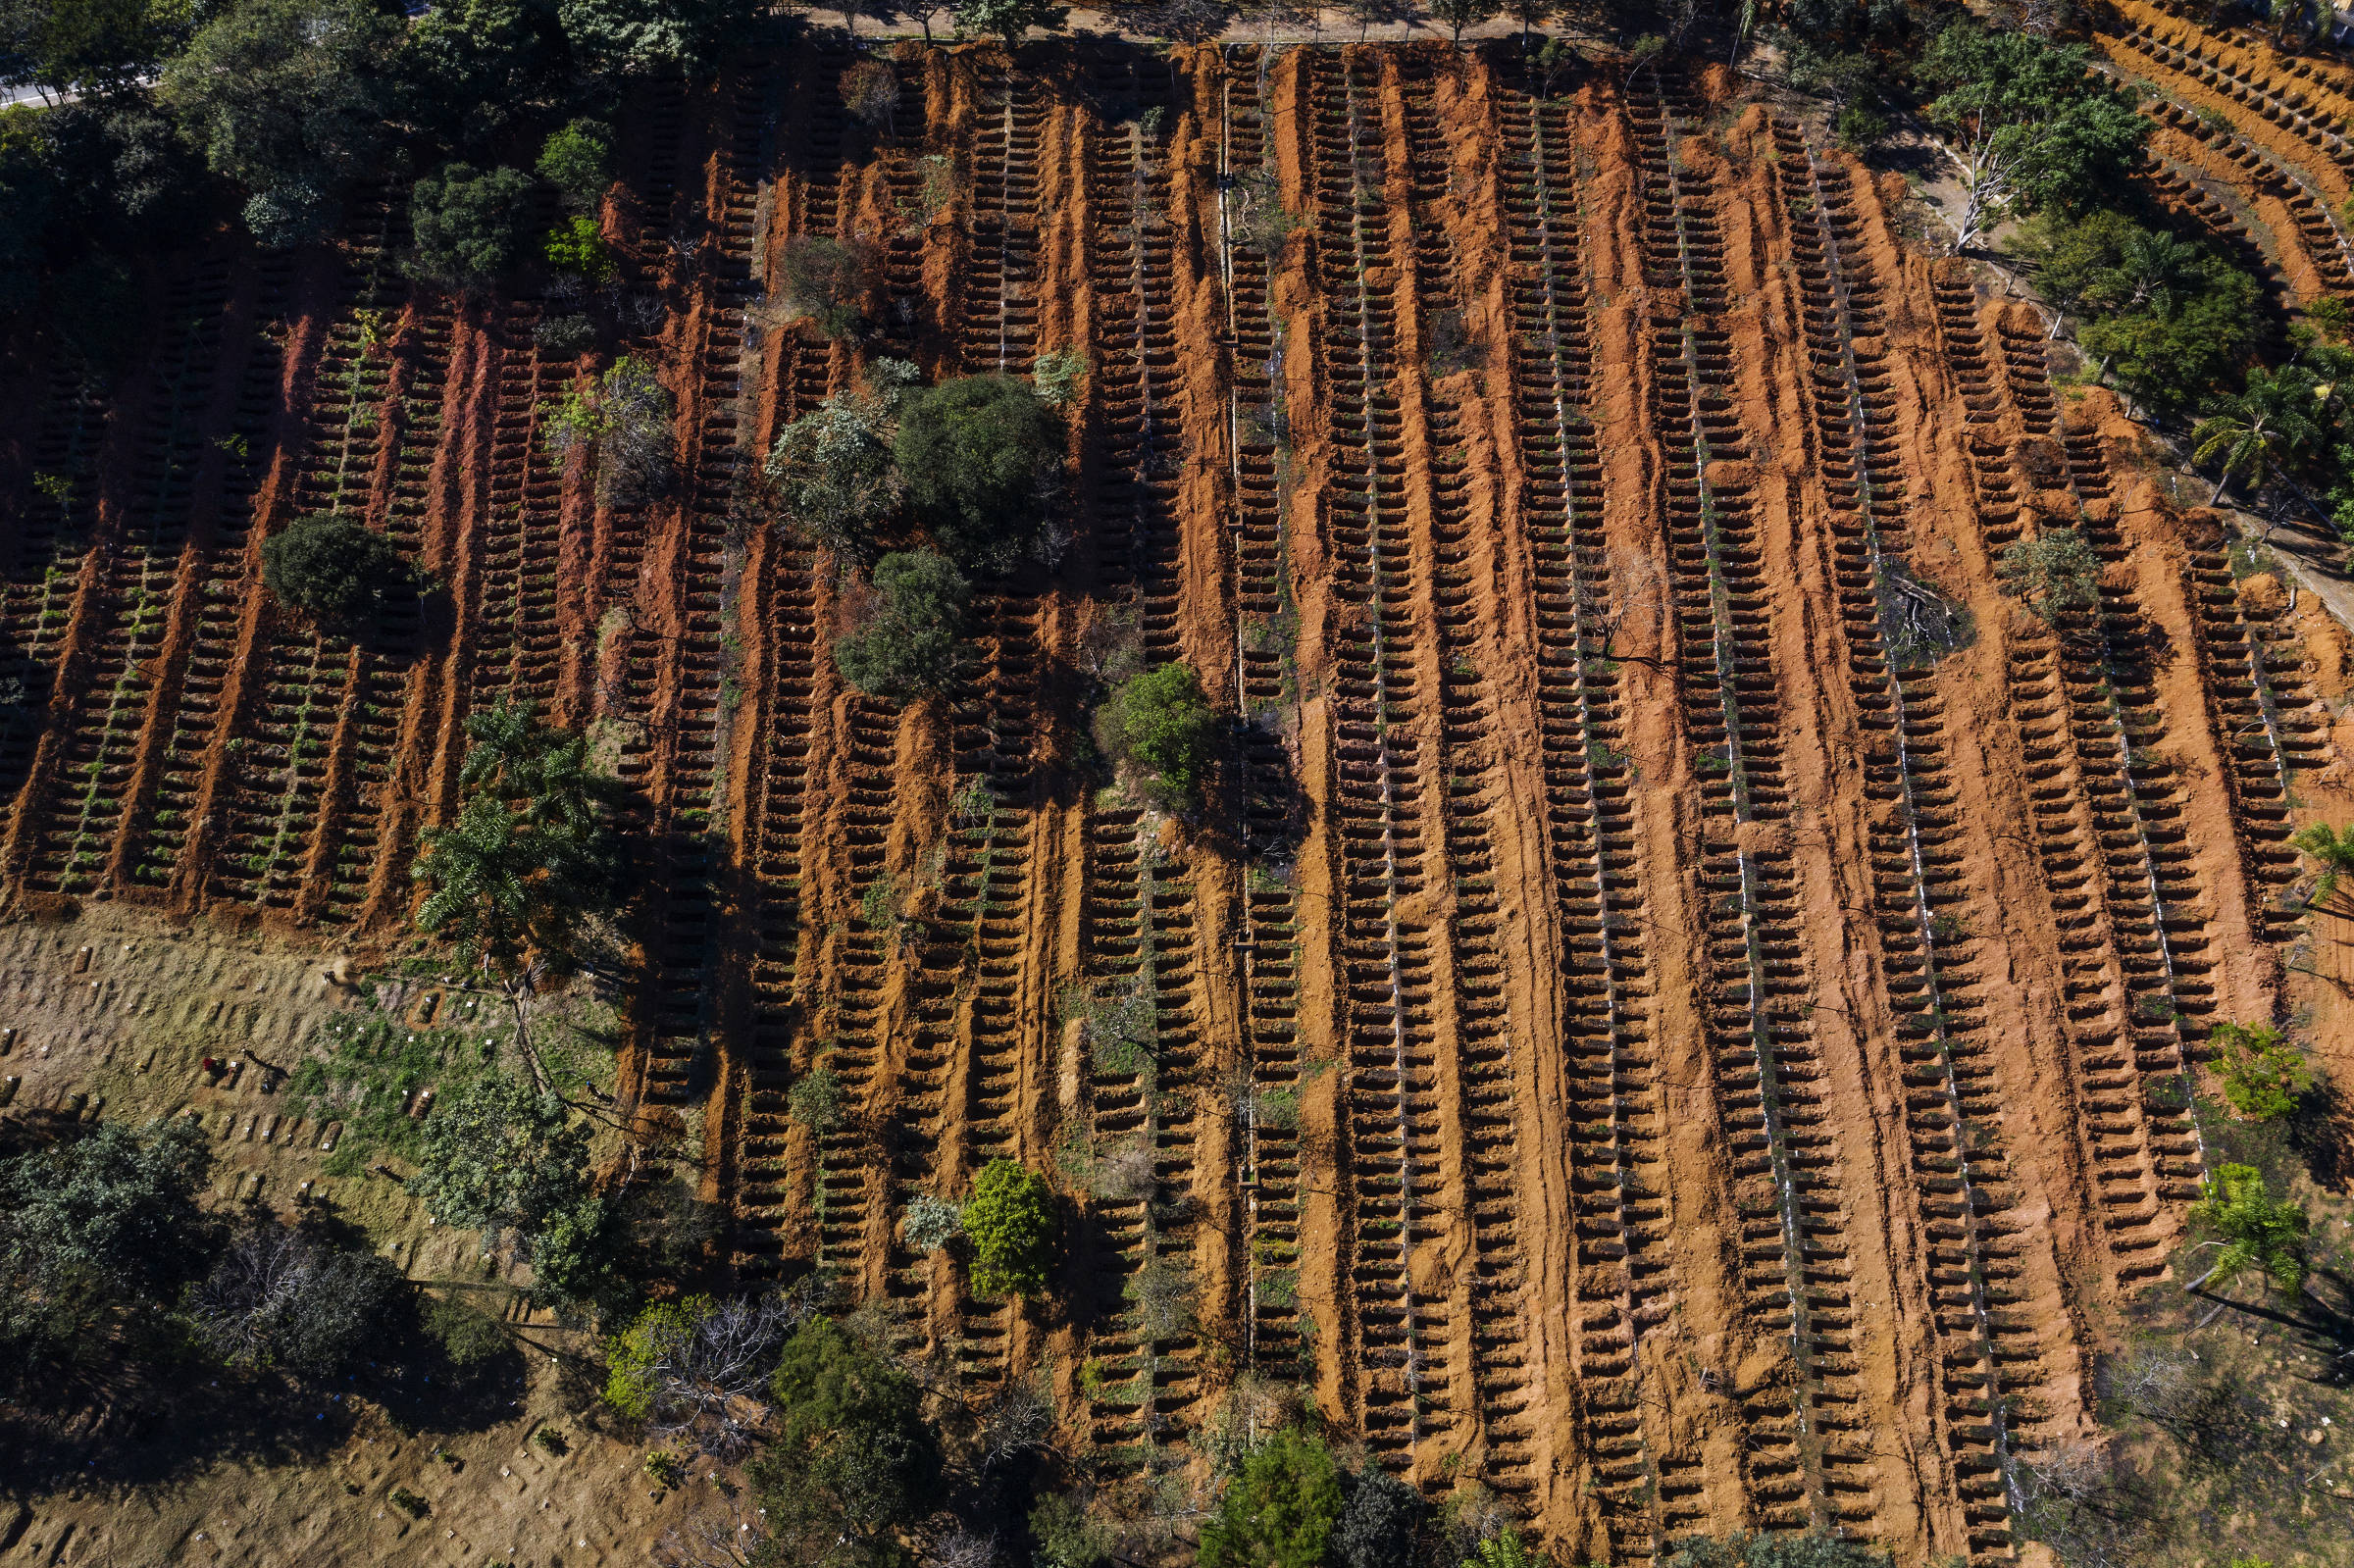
(983, 456)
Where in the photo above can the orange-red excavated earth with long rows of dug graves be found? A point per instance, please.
(1684, 997)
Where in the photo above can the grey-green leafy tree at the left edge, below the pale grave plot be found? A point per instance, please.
(98, 1230)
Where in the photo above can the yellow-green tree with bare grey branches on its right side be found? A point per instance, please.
(700, 1367)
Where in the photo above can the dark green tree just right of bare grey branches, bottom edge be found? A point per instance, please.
(853, 1459)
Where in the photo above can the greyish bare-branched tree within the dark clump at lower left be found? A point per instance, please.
(291, 1298)
